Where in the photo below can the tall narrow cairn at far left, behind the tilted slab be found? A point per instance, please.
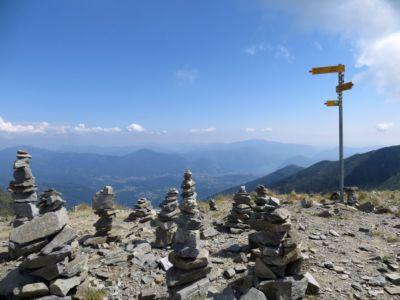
(23, 190)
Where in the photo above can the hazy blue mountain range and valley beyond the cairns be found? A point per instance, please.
(149, 173)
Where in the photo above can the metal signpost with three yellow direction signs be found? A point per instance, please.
(342, 86)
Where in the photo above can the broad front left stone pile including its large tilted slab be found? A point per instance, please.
(51, 264)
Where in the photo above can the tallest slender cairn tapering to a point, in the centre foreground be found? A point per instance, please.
(187, 279)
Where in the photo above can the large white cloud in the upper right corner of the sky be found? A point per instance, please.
(371, 27)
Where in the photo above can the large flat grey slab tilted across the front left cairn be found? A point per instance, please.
(40, 227)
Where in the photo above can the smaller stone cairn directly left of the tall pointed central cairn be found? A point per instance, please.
(166, 226)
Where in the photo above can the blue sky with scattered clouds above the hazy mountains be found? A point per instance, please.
(125, 72)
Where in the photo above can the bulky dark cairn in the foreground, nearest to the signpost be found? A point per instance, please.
(278, 265)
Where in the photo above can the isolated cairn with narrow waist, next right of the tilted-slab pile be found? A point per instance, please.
(106, 226)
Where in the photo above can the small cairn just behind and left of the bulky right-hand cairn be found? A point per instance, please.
(241, 211)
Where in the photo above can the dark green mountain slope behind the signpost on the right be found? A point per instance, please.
(377, 169)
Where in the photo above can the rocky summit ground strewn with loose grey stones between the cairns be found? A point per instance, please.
(352, 254)
